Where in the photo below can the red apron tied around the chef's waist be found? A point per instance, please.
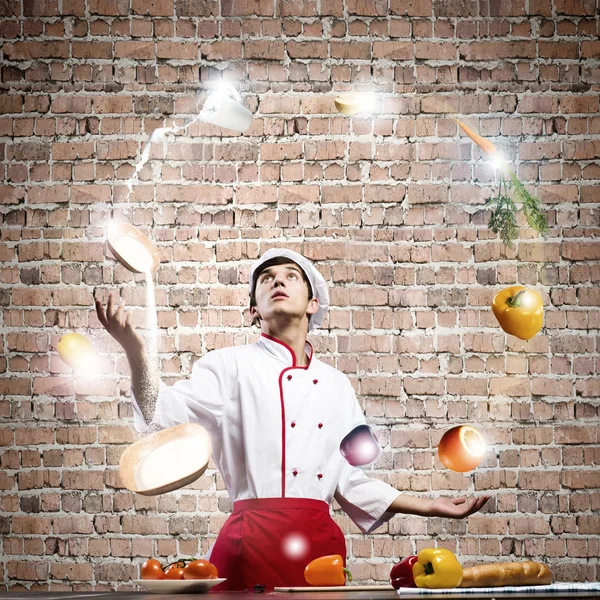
(269, 541)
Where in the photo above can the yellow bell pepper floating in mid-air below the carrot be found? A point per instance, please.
(519, 311)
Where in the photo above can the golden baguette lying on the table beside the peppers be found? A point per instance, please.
(500, 574)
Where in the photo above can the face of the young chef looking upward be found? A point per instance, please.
(282, 295)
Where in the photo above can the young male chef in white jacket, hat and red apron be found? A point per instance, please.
(276, 415)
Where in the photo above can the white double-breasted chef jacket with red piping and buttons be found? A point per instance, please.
(276, 427)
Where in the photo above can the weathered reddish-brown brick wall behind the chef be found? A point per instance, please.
(391, 210)
